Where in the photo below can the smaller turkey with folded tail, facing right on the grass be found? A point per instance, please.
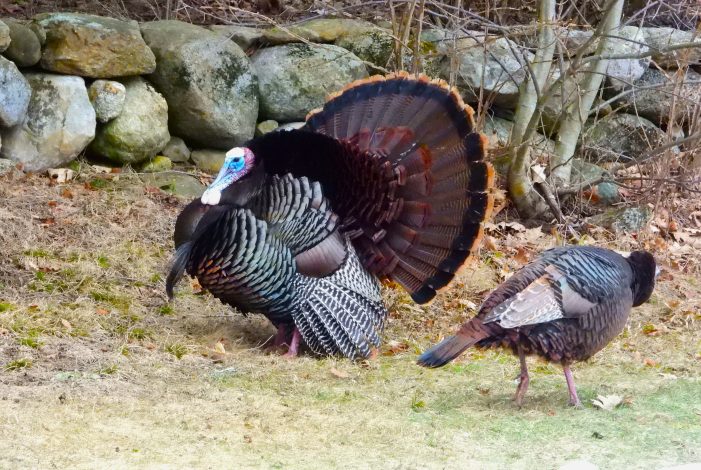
(564, 306)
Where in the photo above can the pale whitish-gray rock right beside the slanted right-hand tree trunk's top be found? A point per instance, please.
(629, 40)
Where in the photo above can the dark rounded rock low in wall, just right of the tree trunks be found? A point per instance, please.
(619, 137)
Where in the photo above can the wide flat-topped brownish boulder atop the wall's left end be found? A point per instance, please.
(94, 46)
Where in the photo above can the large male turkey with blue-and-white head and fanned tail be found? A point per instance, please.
(387, 180)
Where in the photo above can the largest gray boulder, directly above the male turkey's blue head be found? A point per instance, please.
(209, 84)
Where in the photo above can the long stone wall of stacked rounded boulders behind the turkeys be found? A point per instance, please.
(129, 93)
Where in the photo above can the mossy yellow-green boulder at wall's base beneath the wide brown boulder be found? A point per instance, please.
(141, 129)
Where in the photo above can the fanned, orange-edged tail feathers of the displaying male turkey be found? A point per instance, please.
(428, 221)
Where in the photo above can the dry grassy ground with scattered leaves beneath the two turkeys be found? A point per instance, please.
(100, 371)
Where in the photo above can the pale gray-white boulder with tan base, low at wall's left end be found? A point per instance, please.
(59, 124)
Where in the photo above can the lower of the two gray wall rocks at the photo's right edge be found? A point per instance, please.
(653, 96)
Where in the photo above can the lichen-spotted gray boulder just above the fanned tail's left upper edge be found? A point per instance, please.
(296, 78)
